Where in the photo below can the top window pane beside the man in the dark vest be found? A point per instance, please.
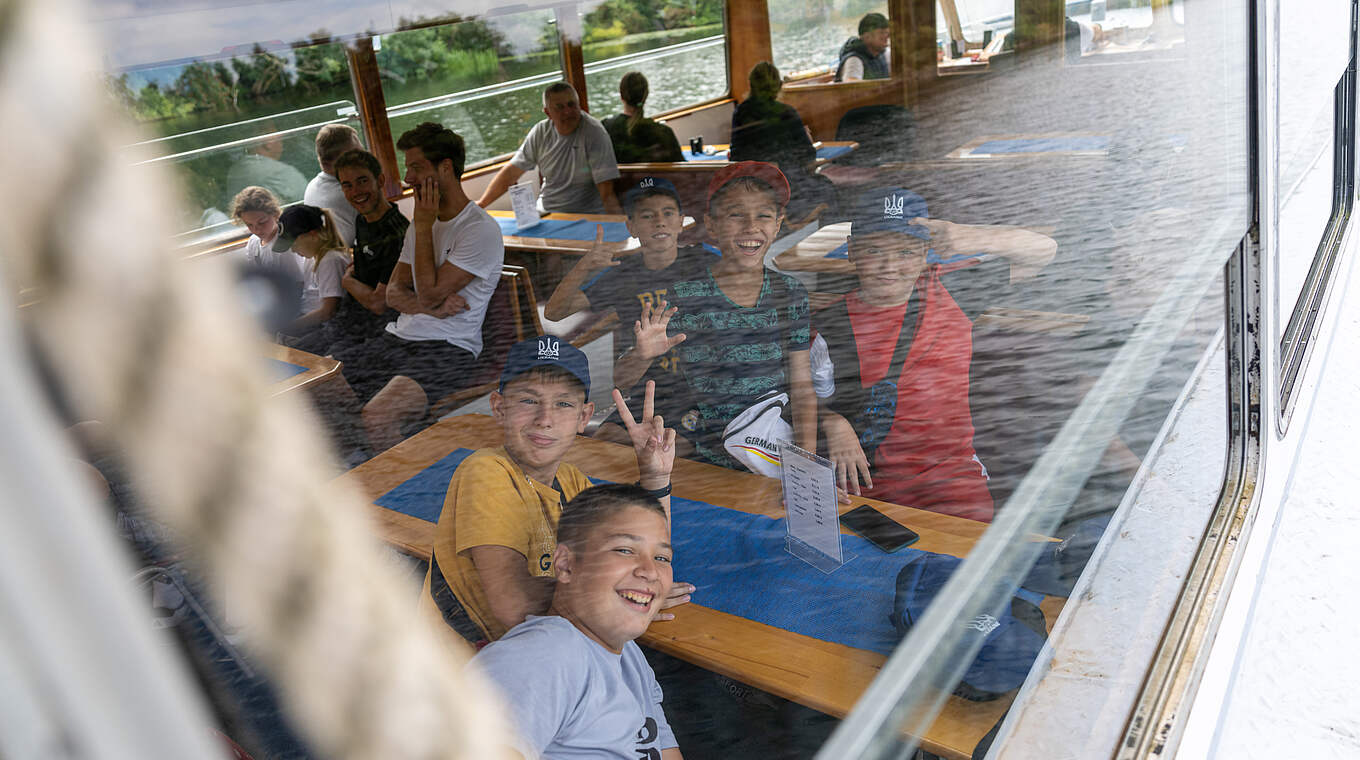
(806, 39)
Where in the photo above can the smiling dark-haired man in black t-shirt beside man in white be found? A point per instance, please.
(379, 233)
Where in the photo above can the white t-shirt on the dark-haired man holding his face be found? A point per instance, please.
(473, 243)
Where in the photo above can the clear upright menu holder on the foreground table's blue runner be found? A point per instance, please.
(811, 506)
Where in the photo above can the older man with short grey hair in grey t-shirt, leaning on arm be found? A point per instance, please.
(573, 154)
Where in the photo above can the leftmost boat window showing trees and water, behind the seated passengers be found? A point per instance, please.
(229, 122)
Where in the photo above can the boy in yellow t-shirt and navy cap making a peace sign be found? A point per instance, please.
(494, 546)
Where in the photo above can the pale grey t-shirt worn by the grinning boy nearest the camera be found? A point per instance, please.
(572, 698)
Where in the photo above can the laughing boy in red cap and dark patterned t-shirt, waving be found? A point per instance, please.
(746, 327)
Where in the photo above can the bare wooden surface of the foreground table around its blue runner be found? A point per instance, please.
(821, 675)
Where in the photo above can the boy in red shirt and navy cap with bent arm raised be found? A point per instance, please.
(901, 347)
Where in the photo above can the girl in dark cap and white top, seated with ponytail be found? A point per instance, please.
(312, 233)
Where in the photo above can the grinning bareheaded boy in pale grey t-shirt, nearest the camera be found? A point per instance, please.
(575, 682)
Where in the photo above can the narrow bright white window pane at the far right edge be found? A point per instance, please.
(1312, 67)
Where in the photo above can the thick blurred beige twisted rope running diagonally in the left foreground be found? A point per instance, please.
(156, 350)
